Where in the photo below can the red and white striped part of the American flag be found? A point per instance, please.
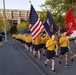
(36, 29)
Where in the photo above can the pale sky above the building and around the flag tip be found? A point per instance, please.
(21, 4)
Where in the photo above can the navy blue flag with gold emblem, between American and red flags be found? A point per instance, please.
(50, 25)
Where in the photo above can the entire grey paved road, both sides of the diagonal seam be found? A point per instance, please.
(15, 61)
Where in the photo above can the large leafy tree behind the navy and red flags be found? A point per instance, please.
(58, 9)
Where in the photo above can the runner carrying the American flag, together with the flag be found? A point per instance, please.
(36, 27)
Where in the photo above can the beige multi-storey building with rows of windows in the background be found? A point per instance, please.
(16, 16)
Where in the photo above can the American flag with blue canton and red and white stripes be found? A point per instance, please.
(36, 25)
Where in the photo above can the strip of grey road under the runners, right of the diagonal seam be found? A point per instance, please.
(60, 68)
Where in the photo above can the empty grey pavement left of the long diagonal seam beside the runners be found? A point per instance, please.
(14, 62)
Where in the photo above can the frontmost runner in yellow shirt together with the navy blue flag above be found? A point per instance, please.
(51, 44)
